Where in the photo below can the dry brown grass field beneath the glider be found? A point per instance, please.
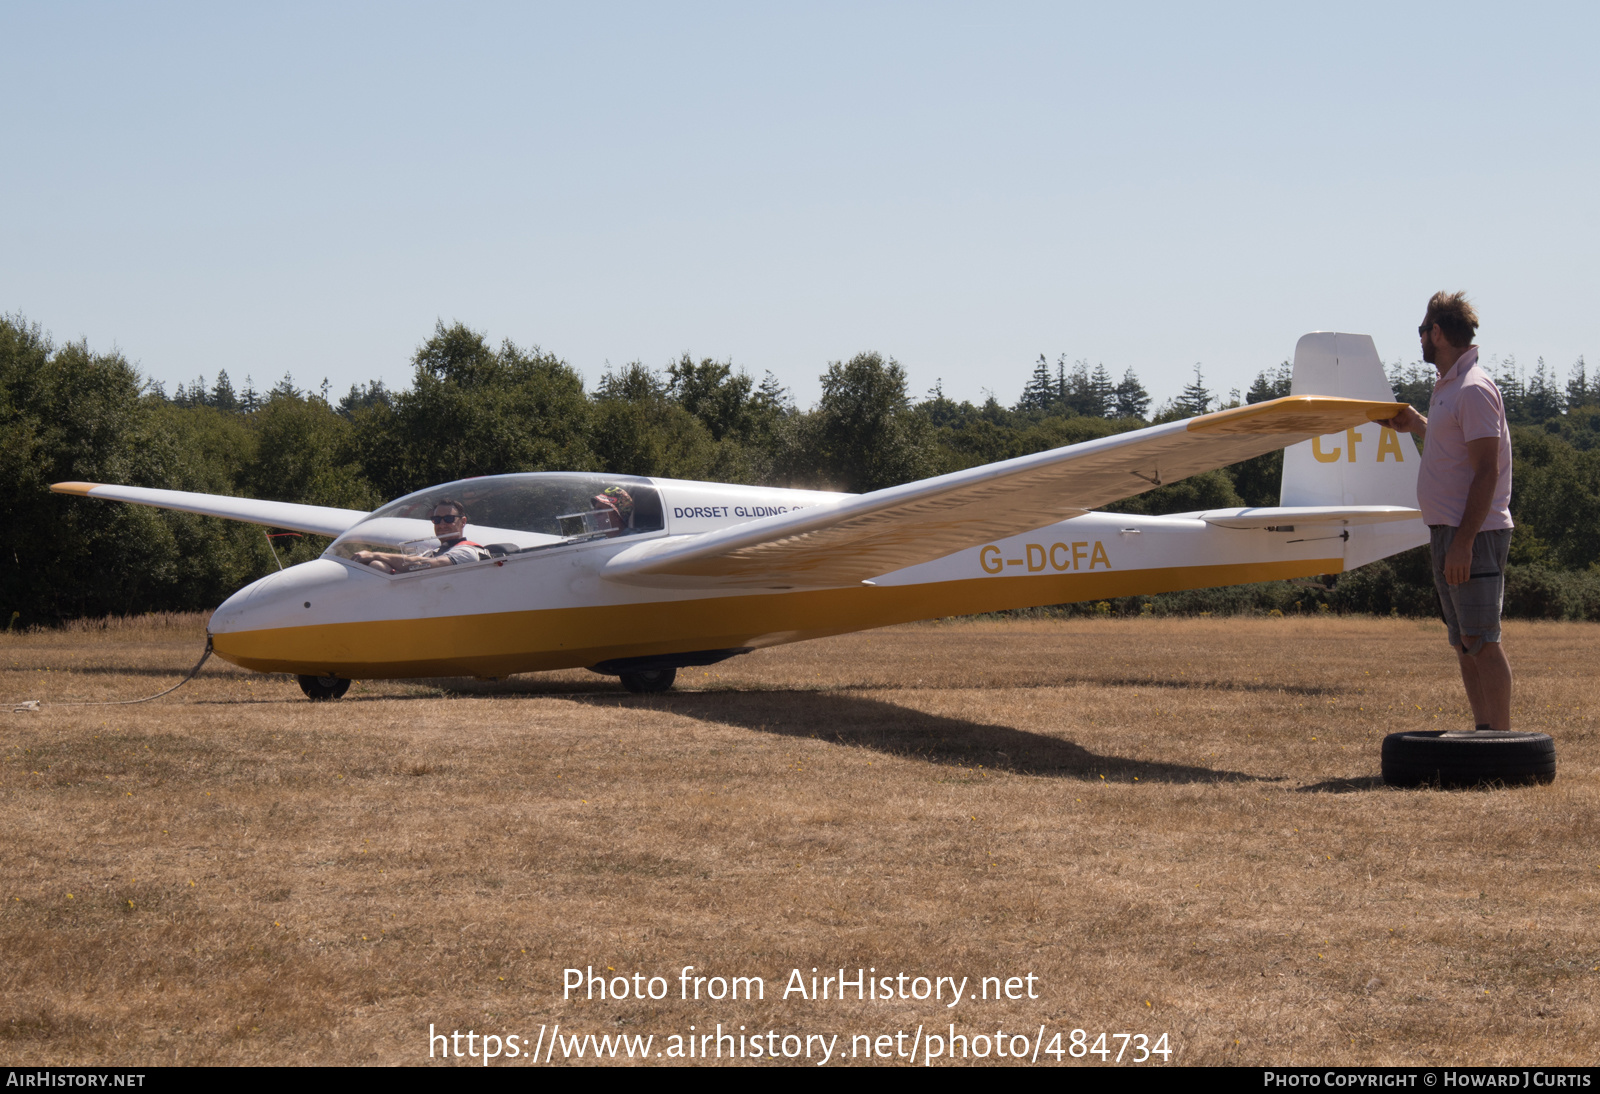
(1174, 826)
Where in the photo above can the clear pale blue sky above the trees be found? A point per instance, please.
(273, 190)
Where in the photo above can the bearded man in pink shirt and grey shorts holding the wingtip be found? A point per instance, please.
(1465, 495)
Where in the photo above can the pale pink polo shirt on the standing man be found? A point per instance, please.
(1466, 407)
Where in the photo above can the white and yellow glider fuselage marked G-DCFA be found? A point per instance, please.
(558, 609)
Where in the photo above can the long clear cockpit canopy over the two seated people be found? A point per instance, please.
(514, 514)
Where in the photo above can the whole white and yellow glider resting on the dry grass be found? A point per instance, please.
(706, 570)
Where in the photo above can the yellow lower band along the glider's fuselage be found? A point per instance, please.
(505, 644)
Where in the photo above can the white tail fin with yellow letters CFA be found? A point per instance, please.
(1364, 466)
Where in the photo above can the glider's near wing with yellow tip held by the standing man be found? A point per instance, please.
(870, 535)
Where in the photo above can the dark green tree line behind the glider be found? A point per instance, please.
(476, 409)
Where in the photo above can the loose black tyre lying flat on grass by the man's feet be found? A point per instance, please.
(1484, 759)
